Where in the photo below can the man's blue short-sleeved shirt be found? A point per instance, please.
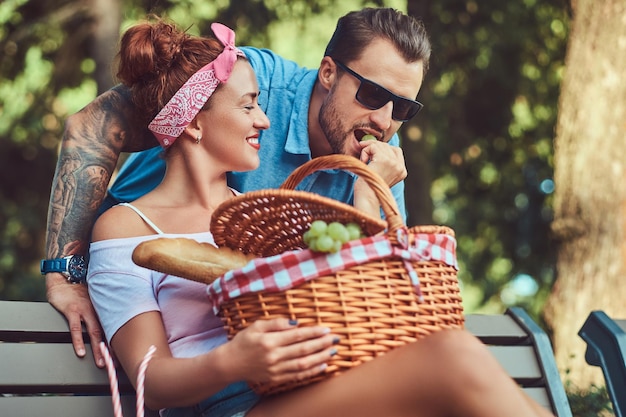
(285, 92)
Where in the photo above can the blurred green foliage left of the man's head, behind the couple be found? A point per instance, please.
(46, 73)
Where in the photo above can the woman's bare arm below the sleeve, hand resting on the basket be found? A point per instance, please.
(269, 350)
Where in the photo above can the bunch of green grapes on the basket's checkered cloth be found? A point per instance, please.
(323, 237)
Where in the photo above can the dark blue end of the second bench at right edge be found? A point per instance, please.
(606, 348)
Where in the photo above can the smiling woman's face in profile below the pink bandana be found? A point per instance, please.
(233, 121)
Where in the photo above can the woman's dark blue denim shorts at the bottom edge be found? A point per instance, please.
(233, 401)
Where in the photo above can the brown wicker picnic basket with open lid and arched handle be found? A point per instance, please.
(372, 306)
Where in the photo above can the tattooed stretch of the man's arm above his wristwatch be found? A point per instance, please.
(91, 145)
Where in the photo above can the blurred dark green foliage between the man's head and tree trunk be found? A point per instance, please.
(491, 104)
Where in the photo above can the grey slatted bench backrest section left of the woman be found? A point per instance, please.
(41, 375)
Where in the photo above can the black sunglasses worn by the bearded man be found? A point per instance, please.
(374, 96)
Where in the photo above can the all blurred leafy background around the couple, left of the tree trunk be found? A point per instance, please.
(479, 155)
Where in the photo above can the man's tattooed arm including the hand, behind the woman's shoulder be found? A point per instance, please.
(92, 142)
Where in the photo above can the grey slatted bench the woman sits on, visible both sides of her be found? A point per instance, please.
(40, 375)
